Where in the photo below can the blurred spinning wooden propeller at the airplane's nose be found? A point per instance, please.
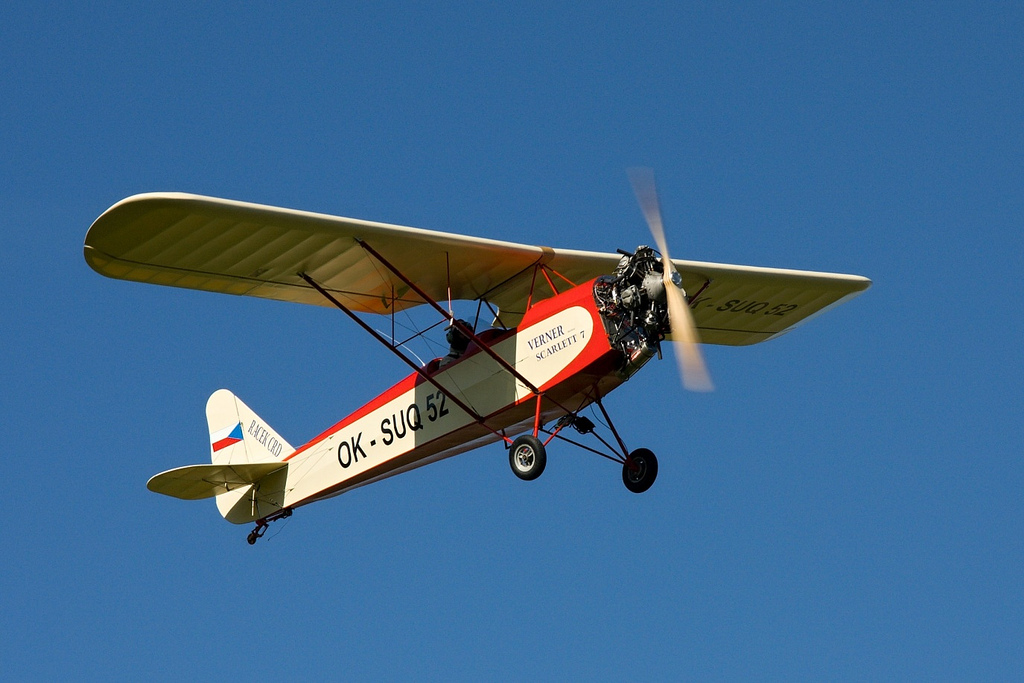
(685, 330)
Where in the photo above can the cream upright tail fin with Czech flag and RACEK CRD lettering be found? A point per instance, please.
(238, 436)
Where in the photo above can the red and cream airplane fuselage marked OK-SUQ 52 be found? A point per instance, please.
(561, 348)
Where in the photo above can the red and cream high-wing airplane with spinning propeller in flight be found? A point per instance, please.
(569, 328)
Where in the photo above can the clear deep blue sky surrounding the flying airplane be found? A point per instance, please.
(847, 505)
